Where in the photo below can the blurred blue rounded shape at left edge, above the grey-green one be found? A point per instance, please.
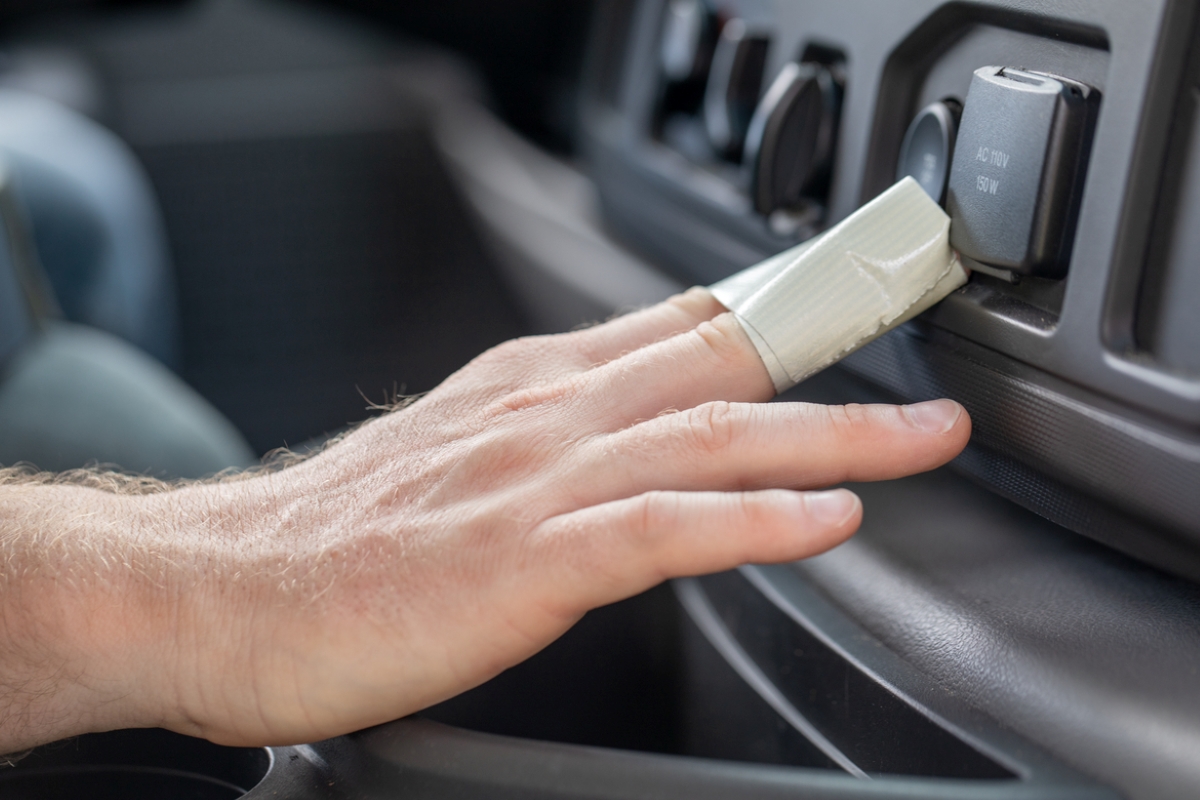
(98, 228)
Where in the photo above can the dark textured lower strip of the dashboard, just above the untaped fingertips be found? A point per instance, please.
(1054, 449)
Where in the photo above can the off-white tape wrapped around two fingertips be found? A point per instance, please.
(820, 302)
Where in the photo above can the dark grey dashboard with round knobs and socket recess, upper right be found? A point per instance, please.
(1093, 354)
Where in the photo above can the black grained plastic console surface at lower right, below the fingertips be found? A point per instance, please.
(1082, 649)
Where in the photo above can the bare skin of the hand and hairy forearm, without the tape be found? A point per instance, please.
(436, 546)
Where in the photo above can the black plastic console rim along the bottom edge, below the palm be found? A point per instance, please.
(419, 760)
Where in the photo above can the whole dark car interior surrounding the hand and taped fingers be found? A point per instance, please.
(283, 216)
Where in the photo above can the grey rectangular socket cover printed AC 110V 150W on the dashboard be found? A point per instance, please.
(1018, 170)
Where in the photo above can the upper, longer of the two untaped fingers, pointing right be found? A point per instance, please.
(737, 447)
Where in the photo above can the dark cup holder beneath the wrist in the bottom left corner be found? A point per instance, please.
(136, 765)
